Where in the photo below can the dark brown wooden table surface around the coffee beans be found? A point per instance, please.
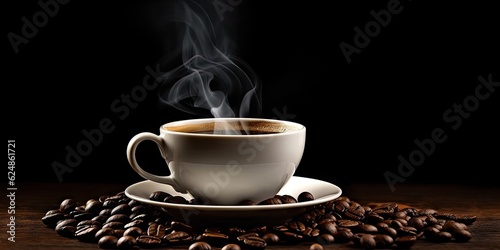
(33, 200)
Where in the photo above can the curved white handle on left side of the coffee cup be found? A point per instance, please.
(131, 150)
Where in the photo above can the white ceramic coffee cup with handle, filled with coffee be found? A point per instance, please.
(218, 163)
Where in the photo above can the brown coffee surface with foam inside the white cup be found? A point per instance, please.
(233, 127)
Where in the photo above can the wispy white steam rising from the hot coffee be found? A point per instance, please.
(209, 78)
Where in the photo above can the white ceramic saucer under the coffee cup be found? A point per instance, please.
(239, 214)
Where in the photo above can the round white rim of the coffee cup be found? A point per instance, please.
(298, 128)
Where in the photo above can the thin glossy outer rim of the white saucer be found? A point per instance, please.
(221, 208)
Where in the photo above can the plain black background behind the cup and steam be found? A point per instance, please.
(360, 116)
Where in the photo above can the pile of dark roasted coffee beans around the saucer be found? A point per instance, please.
(118, 222)
